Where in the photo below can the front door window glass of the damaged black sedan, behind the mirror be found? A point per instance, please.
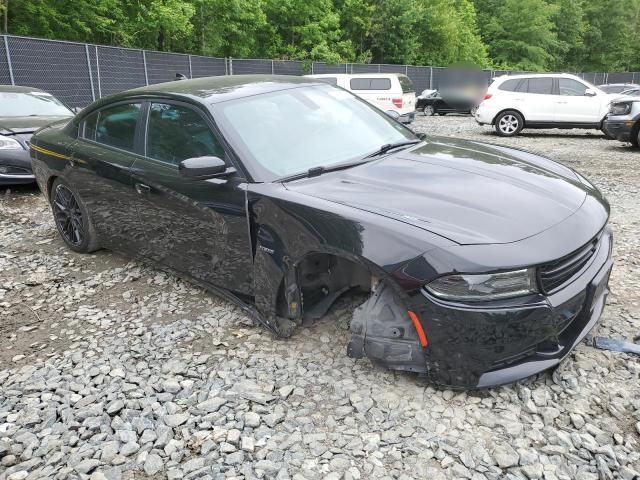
(175, 133)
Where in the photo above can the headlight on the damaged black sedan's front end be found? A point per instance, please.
(490, 286)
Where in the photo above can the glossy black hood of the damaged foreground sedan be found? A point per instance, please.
(467, 192)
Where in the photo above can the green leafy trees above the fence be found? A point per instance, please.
(585, 35)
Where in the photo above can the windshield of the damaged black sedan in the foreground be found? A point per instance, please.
(288, 132)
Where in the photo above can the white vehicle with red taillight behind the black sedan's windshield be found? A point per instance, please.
(390, 92)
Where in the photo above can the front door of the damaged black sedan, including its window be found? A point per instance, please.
(196, 226)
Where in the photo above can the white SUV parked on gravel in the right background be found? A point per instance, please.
(542, 101)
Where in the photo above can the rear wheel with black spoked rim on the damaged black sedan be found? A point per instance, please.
(72, 219)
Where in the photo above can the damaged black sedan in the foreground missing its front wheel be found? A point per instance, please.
(484, 264)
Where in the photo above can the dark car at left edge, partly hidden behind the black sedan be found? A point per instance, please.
(22, 111)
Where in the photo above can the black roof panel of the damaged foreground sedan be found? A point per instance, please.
(218, 89)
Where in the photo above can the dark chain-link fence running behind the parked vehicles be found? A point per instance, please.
(79, 73)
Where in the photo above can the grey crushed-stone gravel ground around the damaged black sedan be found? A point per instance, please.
(110, 369)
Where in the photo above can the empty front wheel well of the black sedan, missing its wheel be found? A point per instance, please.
(319, 280)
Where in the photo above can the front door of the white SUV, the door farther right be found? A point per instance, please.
(573, 106)
